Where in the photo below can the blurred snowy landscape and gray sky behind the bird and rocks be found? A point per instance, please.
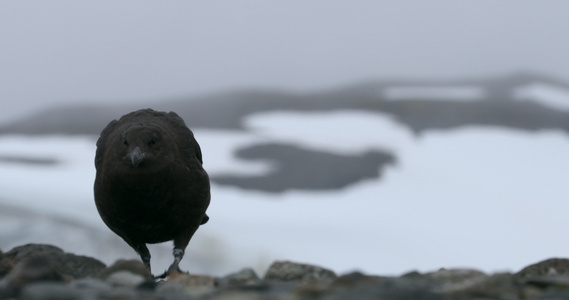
(379, 136)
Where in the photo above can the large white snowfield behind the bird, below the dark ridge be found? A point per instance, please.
(493, 199)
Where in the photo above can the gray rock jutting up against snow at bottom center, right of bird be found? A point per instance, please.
(290, 271)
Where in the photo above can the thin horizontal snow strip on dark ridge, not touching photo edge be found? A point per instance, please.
(457, 93)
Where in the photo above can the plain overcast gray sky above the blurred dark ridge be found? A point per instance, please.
(108, 51)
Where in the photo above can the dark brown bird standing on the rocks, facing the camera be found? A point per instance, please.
(150, 185)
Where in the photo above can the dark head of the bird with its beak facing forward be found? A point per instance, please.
(145, 146)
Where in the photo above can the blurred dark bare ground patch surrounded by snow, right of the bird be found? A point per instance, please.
(302, 169)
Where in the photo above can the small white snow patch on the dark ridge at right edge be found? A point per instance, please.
(546, 94)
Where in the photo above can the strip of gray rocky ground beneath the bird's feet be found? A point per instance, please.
(37, 271)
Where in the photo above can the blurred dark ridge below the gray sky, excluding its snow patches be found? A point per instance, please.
(229, 110)
